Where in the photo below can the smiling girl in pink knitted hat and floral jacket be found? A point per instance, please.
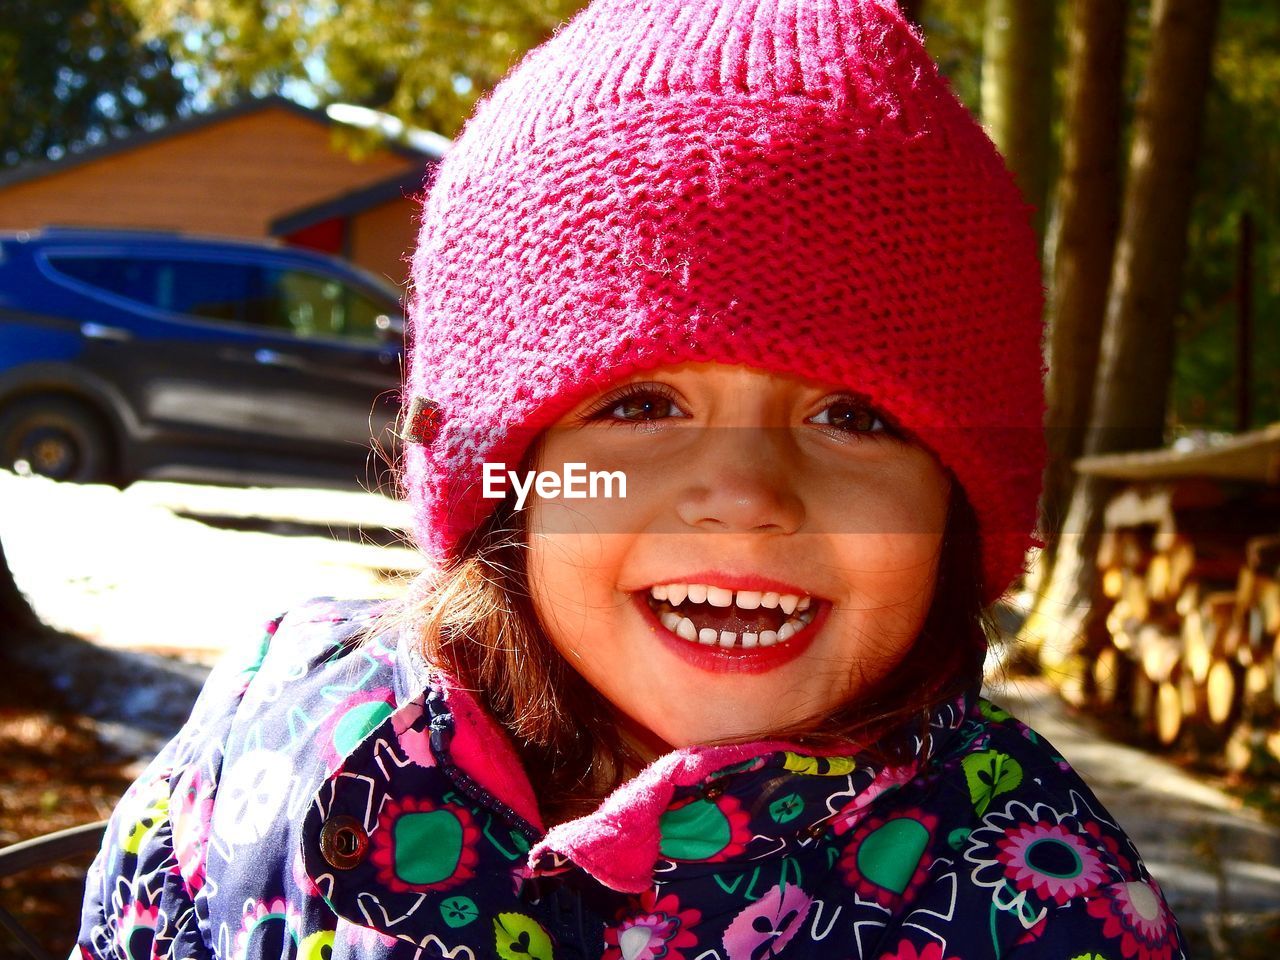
(753, 260)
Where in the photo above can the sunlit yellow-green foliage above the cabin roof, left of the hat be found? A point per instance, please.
(426, 62)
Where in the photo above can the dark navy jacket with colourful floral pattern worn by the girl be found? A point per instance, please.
(332, 798)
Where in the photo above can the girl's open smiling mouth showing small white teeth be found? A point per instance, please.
(742, 620)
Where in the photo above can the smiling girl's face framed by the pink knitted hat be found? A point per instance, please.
(775, 554)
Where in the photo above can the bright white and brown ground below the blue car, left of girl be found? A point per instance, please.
(112, 573)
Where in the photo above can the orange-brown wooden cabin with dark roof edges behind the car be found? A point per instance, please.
(267, 170)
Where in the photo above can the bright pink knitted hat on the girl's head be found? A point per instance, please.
(788, 185)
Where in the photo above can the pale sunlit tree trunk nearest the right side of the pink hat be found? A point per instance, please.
(1018, 92)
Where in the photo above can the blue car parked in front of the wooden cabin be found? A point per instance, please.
(130, 355)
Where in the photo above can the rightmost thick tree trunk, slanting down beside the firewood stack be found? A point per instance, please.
(1137, 349)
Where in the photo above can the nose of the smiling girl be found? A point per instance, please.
(743, 483)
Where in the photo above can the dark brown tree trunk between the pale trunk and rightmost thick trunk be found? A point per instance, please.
(1084, 246)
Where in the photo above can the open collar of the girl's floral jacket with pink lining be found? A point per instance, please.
(432, 812)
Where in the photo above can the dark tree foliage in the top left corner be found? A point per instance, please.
(74, 74)
